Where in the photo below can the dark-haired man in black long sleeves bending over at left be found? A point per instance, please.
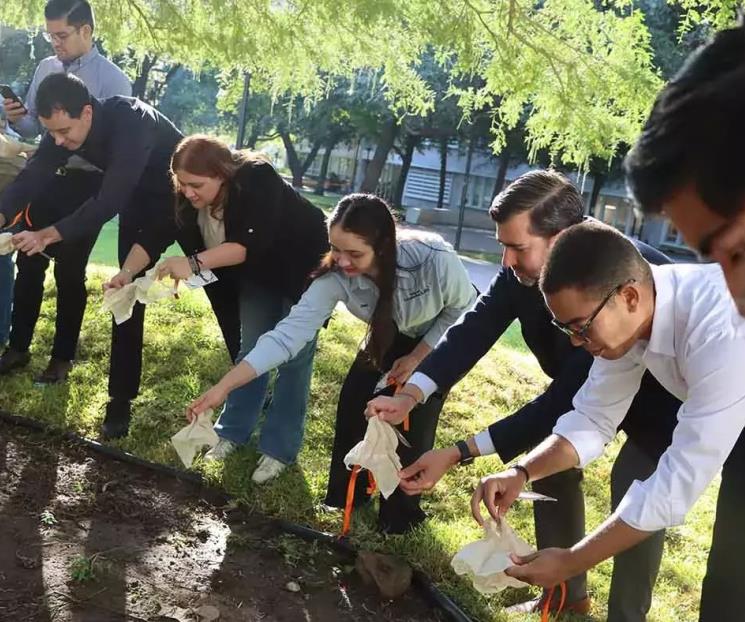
(132, 143)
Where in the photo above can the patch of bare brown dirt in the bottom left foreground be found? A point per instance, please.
(87, 539)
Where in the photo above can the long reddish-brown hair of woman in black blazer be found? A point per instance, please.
(207, 156)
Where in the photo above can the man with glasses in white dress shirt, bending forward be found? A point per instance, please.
(679, 323)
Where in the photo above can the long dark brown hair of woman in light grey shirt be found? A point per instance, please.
(371, 218)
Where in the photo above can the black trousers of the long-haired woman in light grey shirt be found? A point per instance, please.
(399, 512)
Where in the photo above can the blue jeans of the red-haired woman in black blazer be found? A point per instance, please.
(282, 433)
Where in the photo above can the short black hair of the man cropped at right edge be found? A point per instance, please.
(694, 132)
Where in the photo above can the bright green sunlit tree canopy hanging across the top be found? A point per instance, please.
(581, 72)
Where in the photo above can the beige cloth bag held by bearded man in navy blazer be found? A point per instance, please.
(377, 453)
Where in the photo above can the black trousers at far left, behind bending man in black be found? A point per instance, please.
(64, 195)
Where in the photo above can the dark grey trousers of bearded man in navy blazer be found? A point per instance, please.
(562, 524)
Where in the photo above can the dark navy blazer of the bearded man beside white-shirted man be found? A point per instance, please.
(651, 417)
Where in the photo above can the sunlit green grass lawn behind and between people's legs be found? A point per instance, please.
(184, 355)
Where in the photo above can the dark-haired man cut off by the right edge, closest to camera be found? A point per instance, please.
(689, 163)
